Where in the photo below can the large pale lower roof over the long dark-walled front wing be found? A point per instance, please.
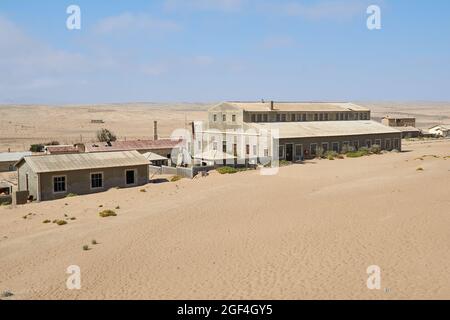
(325, 128)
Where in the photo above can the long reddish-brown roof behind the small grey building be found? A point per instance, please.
(140, 145)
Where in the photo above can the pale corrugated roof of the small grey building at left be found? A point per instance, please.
(82, 161)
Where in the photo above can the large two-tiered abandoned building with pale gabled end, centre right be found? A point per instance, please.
(299, 128)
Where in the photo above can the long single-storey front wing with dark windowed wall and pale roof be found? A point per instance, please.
(297, 140)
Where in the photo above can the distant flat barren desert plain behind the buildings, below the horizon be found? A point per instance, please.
(21, 126)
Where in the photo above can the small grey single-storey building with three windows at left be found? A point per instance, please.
(48, 177)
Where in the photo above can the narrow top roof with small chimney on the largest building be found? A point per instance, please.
(297, 106)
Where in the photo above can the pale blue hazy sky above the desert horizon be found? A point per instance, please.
(216, 50)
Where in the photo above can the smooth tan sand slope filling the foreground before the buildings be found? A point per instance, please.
(309, 232)
